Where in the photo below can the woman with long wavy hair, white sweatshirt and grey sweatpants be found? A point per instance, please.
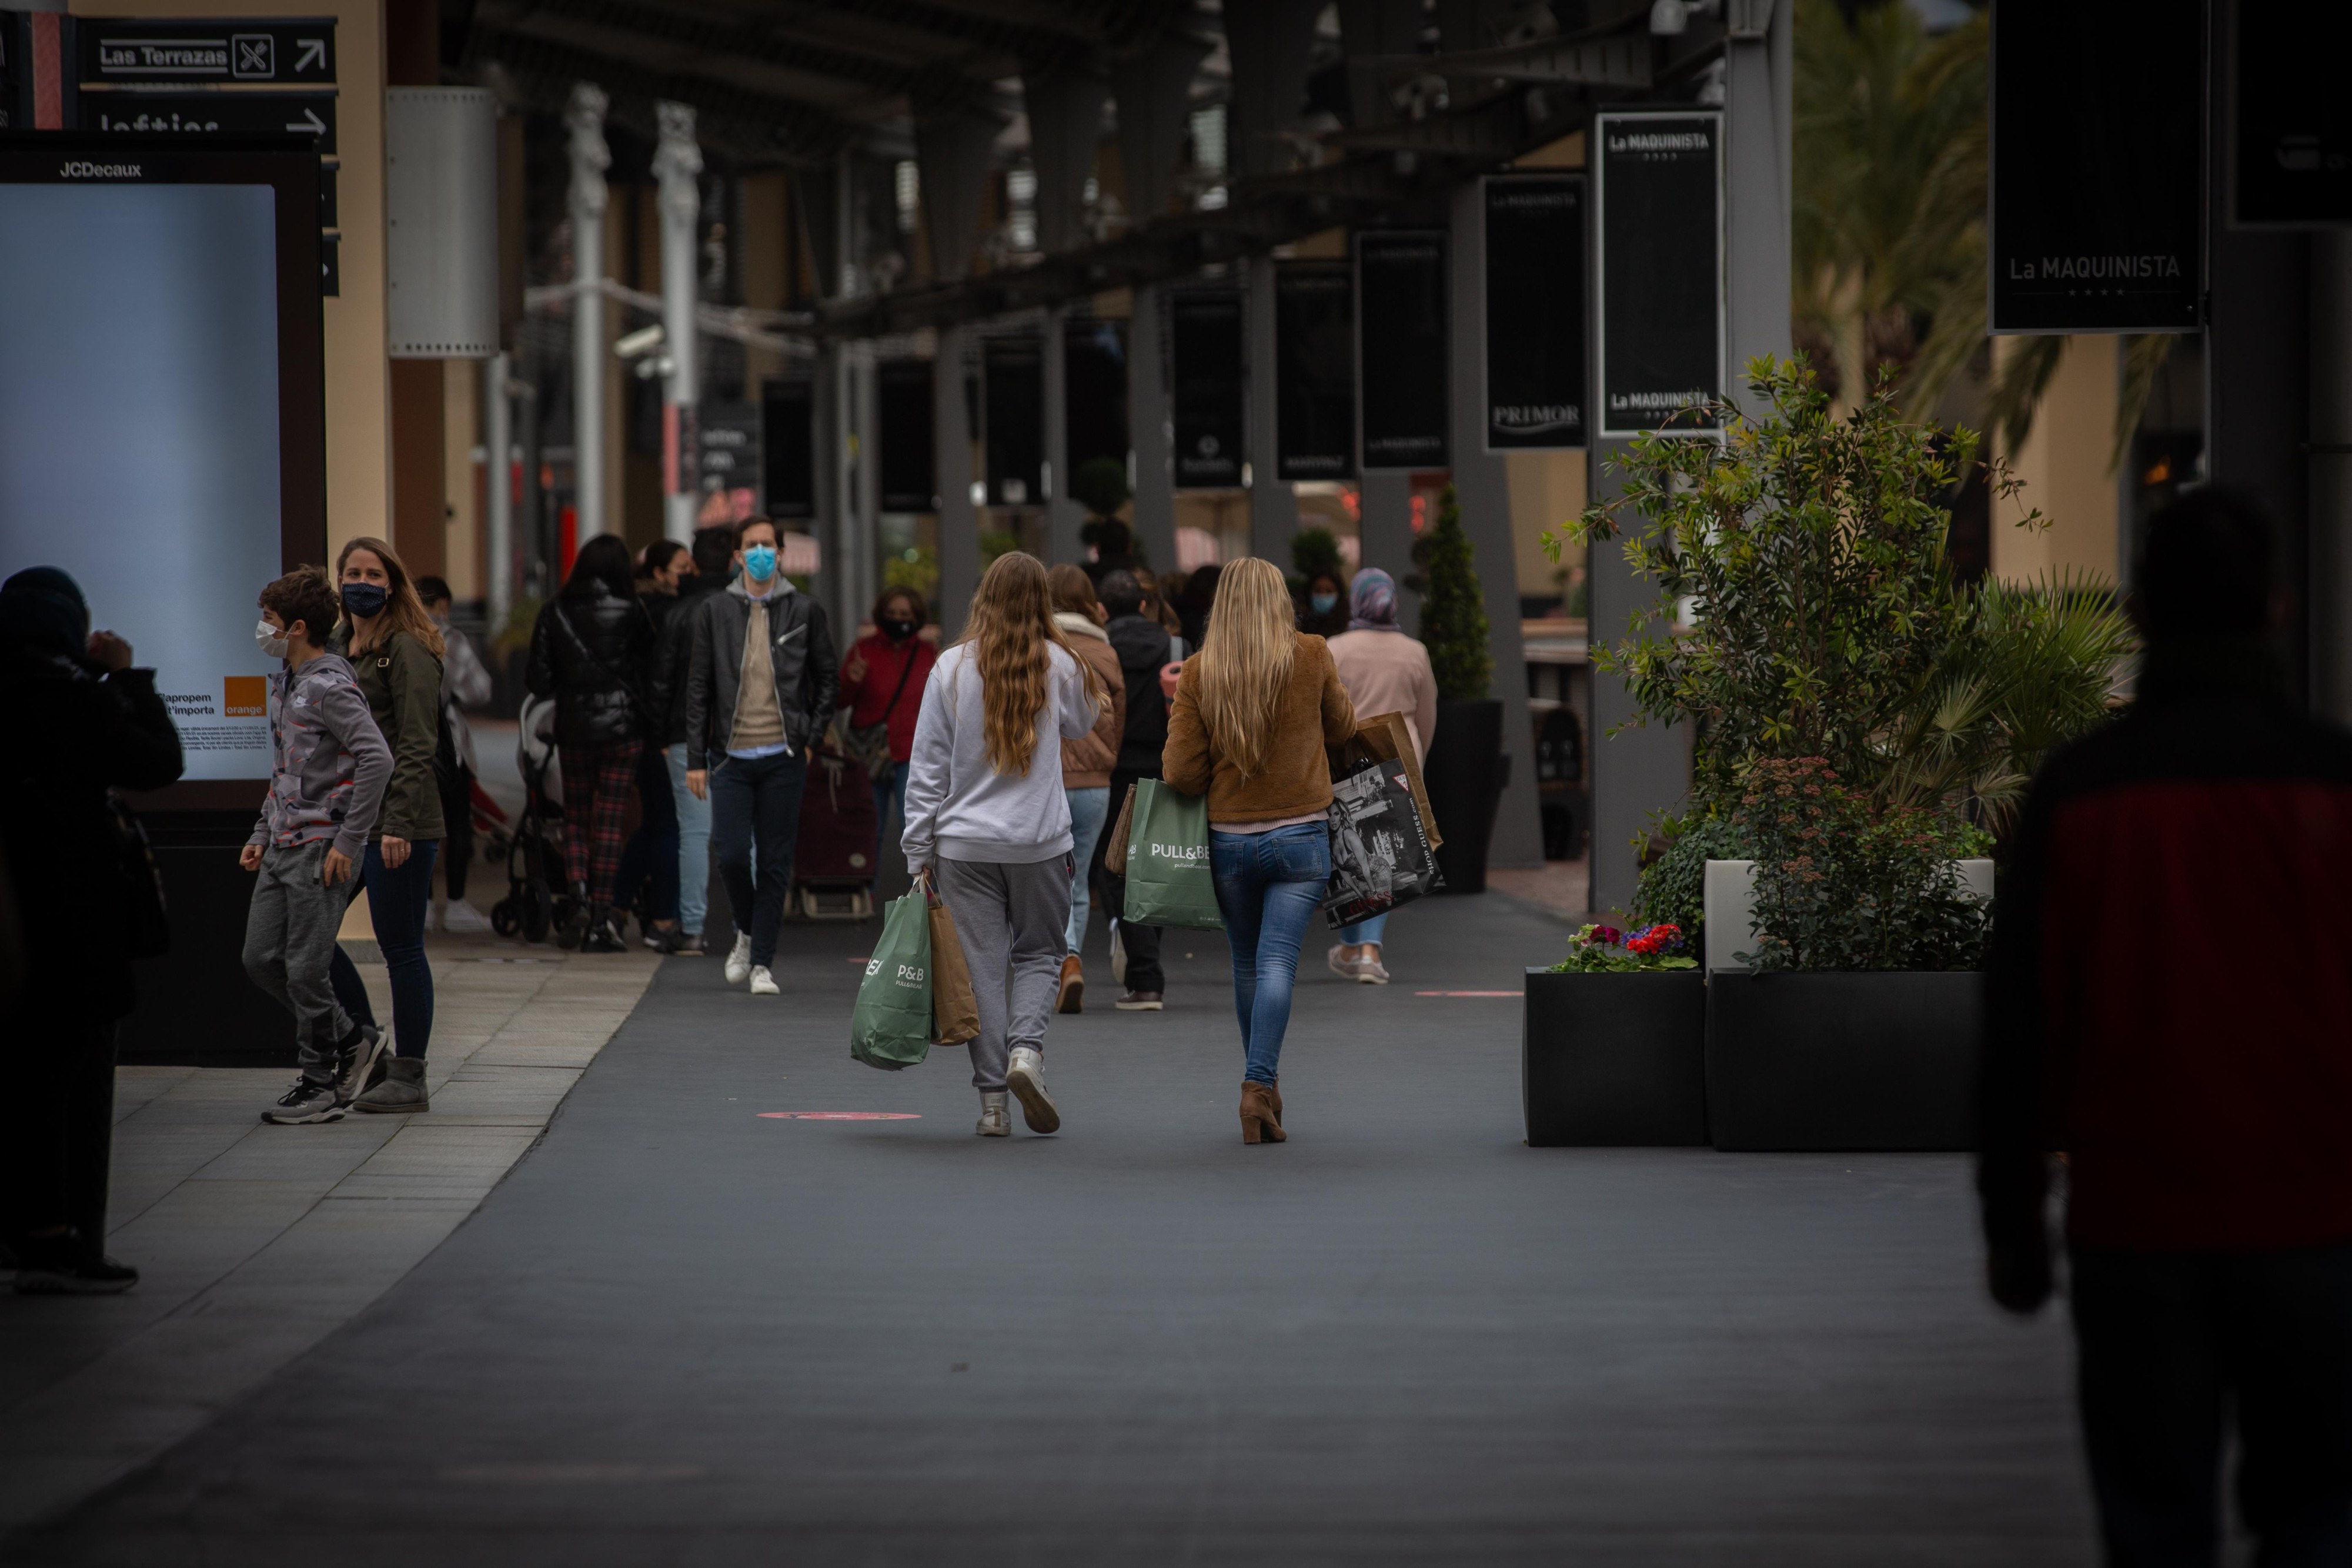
(989, 826)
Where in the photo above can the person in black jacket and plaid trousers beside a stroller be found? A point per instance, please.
(592, 652)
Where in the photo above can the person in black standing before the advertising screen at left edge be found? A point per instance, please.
(81, 721)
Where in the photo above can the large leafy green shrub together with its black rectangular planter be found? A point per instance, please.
(1859, 723)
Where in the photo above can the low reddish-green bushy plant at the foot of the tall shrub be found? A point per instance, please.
(1852, 883)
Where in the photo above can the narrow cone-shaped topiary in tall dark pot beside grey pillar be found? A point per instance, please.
(1464, 772)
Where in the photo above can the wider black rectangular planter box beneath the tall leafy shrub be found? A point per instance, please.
(1843, 1061)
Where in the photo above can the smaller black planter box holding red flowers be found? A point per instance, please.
(1615, 1059)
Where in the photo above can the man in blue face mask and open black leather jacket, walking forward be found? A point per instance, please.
(751, 758)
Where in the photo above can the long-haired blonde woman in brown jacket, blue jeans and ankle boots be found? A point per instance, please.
(1255, 711)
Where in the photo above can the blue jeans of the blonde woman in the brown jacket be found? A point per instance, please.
(1267, 890)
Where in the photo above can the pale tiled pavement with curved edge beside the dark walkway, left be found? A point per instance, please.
(255, 1242)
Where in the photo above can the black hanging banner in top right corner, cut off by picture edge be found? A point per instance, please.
(2290, 116)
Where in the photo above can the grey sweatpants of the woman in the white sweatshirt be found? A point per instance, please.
(1013, 925)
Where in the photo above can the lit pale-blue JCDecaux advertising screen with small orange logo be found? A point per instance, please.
(161, 427)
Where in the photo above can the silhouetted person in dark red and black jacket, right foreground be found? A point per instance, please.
(2170, 1005)
